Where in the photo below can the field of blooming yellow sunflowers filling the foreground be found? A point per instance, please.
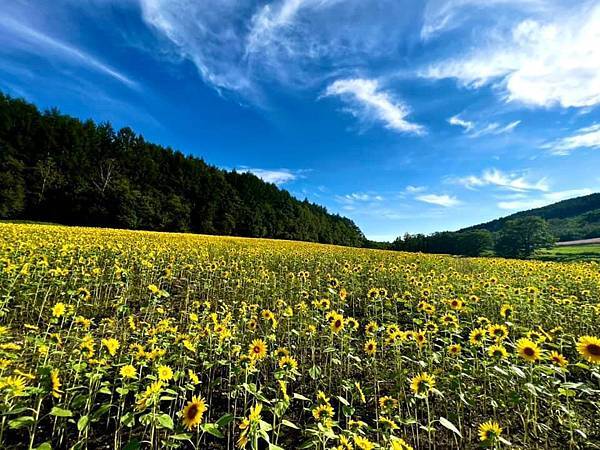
(123, 339)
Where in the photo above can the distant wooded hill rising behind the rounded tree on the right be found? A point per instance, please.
(576, 218)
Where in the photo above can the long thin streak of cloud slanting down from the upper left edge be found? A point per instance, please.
(36, 42)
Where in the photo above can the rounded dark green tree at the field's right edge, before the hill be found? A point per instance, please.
(520, 238)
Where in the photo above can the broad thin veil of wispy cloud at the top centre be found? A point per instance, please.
(241, 45)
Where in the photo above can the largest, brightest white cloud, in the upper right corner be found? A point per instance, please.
(542, 62)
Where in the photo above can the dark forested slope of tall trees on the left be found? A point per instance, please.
(56, 168)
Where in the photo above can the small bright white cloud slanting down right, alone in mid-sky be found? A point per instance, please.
(368, 102)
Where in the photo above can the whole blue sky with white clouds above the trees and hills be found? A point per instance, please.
(406, 116)
